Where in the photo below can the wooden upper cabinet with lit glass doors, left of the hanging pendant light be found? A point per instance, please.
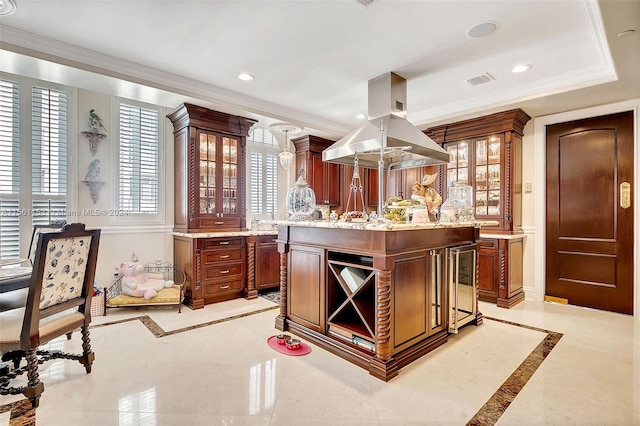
(209, 169)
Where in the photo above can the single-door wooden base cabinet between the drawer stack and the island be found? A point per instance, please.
(263, 264)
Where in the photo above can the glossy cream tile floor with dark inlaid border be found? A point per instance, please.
(537, 363)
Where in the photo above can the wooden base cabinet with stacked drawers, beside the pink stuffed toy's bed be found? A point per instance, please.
(215, 268)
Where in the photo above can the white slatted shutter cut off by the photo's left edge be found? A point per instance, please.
(9, 170)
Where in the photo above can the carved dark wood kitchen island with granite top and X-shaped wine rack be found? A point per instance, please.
(375, 294)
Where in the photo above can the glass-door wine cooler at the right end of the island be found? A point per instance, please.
(461, 275)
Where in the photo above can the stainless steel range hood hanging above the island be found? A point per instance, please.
(387, 133)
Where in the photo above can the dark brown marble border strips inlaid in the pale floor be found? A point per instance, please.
(491, 411)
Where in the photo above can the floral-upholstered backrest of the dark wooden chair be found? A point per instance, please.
(62, 278)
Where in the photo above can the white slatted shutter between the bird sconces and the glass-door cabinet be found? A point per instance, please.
(138, 160)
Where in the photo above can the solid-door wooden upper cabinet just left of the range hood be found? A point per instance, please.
(324, 178)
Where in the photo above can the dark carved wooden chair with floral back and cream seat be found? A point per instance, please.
(59, 301)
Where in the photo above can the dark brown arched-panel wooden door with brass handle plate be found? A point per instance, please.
(589, 252)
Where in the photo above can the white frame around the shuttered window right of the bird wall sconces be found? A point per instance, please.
(123, 217)
